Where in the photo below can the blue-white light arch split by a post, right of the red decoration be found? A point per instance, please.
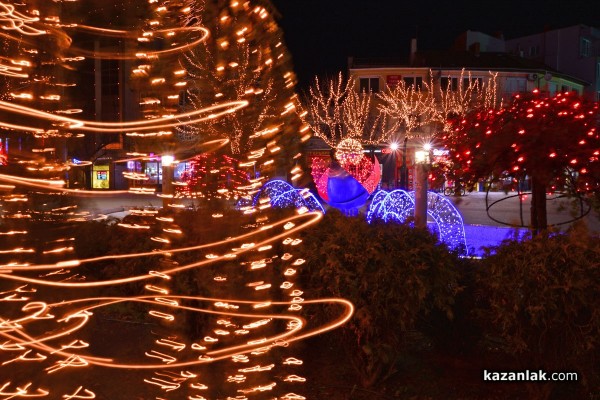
(399, 205)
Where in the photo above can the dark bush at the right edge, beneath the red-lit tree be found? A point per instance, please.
(542, 301)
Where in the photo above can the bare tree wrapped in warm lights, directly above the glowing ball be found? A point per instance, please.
(336, 110)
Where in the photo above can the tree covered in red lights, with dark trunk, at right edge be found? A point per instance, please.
(555, 141)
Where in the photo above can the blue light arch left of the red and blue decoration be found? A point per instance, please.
(283, 195)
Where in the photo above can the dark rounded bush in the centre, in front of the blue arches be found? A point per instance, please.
(391, 273)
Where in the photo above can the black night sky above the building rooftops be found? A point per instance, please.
(322, 34)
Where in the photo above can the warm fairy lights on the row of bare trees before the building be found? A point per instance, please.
(336, 110)
